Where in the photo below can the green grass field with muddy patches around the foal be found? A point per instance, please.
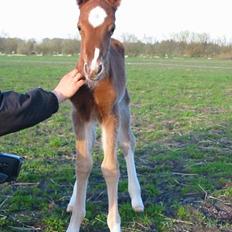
(182, 118)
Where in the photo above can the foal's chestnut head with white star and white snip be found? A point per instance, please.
(96, 25)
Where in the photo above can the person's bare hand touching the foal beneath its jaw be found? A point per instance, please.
(68, 85)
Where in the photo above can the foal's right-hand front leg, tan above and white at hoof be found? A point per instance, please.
(110, 170)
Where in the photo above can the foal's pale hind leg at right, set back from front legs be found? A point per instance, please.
(127, 143)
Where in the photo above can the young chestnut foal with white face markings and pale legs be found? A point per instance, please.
(103, 99)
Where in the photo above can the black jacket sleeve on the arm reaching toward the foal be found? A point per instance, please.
(20, 111)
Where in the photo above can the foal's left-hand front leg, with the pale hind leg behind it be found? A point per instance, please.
(85, 139)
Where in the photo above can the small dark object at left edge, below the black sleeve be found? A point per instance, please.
(9, 167)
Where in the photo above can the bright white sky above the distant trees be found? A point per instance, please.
(151, 18)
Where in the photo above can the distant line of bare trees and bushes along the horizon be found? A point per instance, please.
(181, 44)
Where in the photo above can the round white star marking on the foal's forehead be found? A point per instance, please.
(97, 16)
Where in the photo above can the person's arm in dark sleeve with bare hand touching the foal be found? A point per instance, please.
(20, 111)
